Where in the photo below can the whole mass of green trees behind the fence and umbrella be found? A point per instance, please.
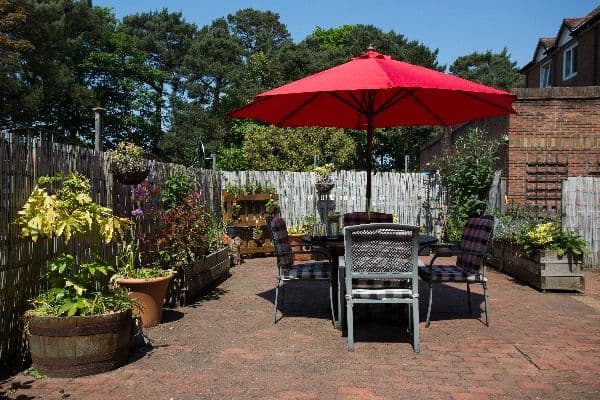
(169, 85)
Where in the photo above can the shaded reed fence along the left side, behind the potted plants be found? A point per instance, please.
(22, 263)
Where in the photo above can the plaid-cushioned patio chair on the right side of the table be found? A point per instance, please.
(470, 260)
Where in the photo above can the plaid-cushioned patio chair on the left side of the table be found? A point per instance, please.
(288, 271)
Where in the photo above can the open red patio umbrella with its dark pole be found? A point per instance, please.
(375, 91)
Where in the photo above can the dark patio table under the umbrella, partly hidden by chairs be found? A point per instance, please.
(335, 246)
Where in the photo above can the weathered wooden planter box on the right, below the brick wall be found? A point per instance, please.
(543, 270)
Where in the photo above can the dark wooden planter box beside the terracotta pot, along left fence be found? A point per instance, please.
(193, 279)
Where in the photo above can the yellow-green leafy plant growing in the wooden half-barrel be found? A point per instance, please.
(68, 210)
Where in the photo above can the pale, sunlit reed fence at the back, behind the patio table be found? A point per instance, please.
(414, 198)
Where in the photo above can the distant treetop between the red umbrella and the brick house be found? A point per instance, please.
(492, 69)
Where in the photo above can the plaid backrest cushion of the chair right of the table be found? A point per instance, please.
(476, 236)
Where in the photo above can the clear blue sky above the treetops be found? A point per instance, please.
(456, 27)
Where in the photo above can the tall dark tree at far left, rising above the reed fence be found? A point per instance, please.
(51, 92)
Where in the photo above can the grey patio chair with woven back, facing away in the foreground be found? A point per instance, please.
(381, 252)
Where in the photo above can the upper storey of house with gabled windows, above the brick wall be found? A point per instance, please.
(572, 58)
